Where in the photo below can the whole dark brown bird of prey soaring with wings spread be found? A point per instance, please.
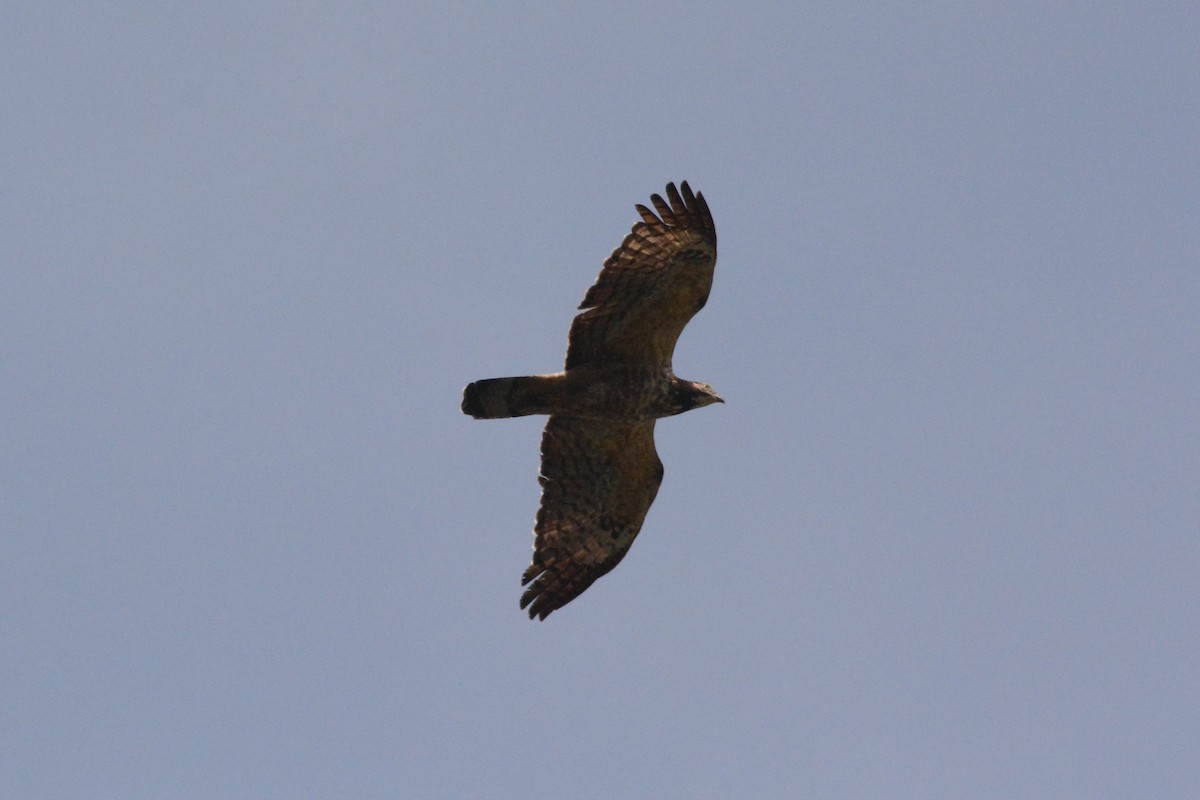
(599, 470)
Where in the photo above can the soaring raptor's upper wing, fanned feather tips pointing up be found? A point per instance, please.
(650, 287)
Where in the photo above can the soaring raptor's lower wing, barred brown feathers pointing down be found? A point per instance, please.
(599, 479)
